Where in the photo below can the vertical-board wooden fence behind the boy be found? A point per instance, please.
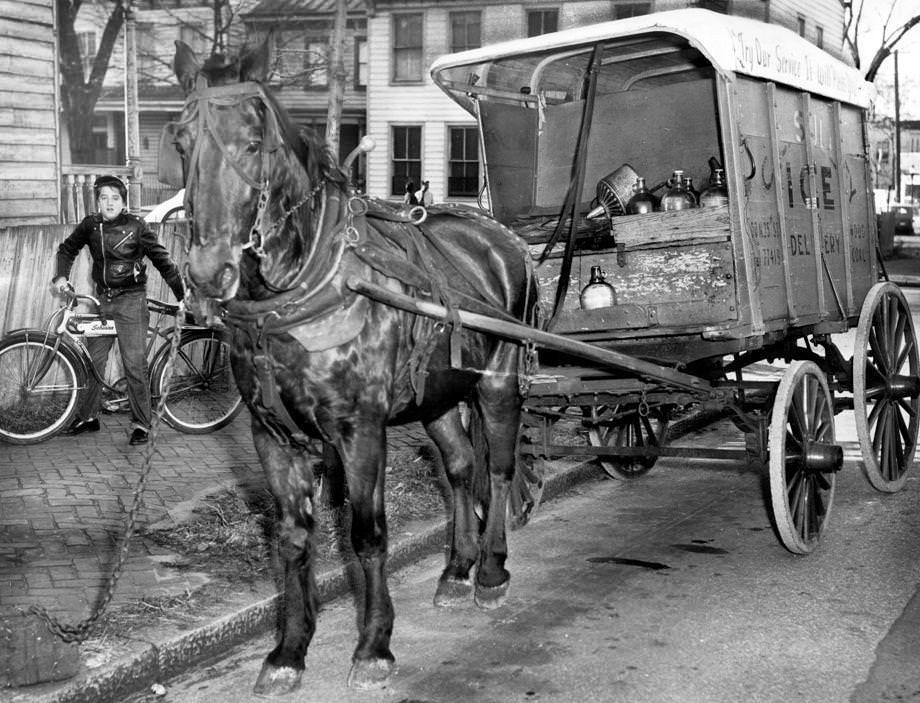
(27, 259)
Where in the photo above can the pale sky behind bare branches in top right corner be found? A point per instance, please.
(874, 14)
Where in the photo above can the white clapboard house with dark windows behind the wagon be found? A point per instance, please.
(423, 136)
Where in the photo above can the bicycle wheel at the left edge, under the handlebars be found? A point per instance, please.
(39, 387)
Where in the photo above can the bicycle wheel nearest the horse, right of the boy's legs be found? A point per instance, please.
(203, 396)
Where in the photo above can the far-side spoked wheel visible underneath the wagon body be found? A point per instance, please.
(635, 430)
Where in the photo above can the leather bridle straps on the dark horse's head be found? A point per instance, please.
(204, 97)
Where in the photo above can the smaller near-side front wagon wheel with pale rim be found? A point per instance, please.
(804, 458)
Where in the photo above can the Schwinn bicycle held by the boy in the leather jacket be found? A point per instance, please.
(44, 371)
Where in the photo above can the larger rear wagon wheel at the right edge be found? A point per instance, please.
(886, 389)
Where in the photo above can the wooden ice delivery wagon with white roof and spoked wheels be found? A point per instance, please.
(737, 308)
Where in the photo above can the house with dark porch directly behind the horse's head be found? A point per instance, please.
(300, 31)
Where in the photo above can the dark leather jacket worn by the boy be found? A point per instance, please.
(118, 248)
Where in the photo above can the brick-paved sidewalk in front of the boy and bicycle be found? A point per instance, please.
(64, 504)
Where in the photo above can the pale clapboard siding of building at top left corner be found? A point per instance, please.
(29, 152)
